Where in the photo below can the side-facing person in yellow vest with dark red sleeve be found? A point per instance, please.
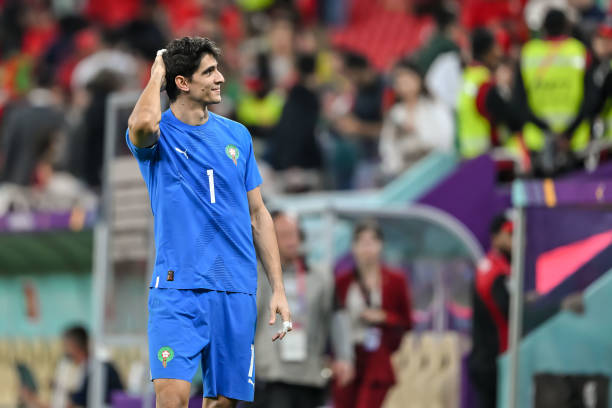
(484, 99)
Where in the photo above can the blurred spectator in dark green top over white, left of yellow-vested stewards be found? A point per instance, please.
(440, 58)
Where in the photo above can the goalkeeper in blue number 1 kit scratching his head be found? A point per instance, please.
(210, 221)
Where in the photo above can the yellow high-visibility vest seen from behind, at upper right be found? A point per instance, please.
(553, 75)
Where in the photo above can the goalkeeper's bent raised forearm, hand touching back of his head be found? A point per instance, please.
(144, 120)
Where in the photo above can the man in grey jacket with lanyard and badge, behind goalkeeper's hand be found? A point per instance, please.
(292, 372)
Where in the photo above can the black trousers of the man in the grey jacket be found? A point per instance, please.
(282, 395)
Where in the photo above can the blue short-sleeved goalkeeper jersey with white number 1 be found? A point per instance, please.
(198, 178)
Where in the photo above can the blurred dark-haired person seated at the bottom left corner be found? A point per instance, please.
(66, 394)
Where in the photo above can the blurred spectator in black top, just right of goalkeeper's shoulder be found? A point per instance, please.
(292, 149)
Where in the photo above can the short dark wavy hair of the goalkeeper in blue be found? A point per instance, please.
(183, 57)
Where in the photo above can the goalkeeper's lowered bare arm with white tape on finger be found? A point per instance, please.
(264, 239)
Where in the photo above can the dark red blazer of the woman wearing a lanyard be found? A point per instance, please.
(375, 366)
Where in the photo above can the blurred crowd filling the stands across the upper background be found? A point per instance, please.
(529, 79)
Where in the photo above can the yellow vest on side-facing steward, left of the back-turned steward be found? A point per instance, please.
(474, 130)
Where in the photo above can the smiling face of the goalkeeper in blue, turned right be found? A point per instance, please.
(205, 83)
